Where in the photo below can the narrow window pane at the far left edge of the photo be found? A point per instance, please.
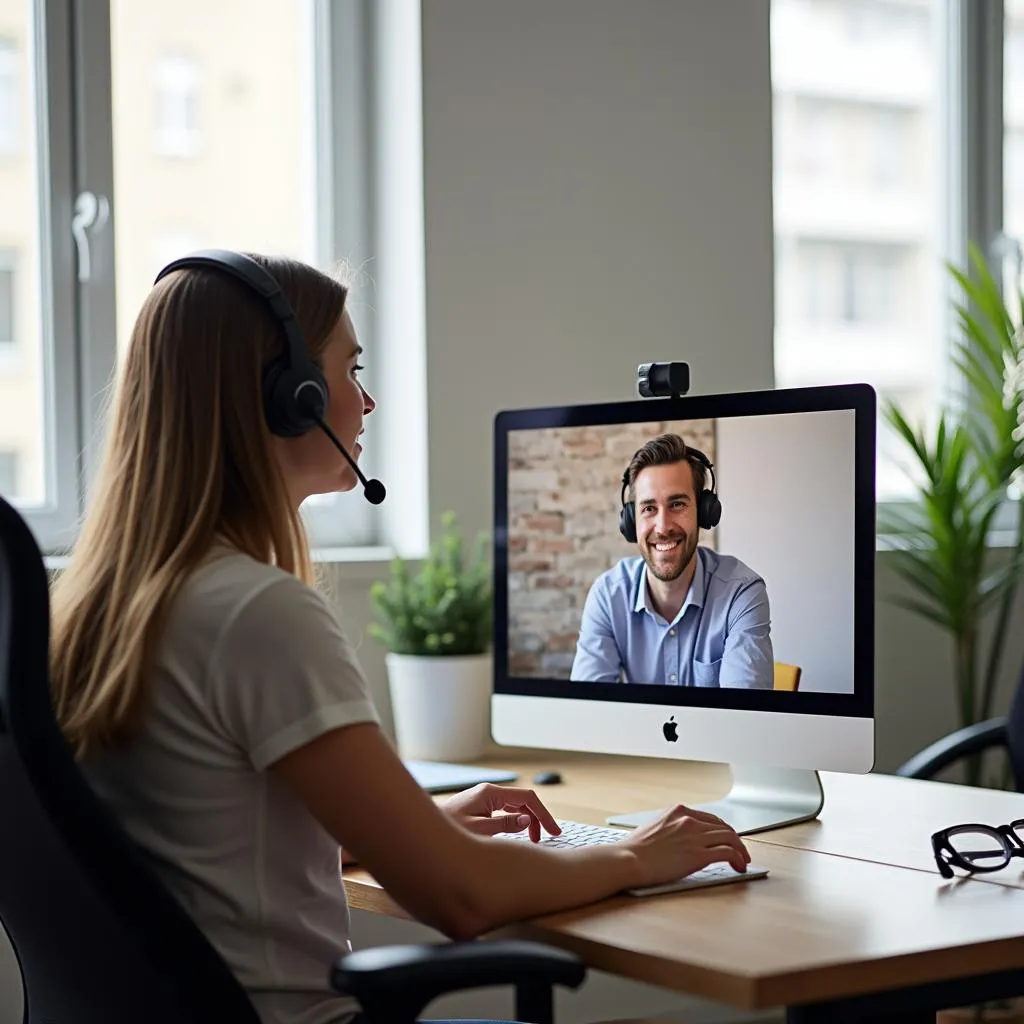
(23, 452)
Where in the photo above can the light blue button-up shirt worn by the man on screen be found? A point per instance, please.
(720, 637)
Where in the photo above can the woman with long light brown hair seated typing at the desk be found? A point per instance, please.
(214, 700)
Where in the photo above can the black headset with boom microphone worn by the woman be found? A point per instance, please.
(294, 391)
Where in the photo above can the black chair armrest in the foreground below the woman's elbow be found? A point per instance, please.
(394, 985)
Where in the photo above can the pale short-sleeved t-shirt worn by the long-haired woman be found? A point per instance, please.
(253, 665)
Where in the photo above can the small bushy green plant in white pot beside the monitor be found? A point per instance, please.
(436, 624)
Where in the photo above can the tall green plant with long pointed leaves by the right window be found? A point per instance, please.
(972, 462)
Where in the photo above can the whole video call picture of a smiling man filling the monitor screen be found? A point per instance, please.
(729, 562)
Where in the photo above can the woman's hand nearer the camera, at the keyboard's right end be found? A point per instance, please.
(682, 841)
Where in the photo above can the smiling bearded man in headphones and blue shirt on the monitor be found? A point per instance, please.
(677, 614)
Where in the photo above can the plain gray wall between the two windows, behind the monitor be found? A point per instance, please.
(599, 195)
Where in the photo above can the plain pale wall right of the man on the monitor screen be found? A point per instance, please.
(787, 488)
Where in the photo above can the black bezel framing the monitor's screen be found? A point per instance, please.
(861, 399)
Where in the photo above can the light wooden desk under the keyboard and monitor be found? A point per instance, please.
(837, 932)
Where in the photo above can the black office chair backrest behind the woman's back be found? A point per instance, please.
(99, 938)
